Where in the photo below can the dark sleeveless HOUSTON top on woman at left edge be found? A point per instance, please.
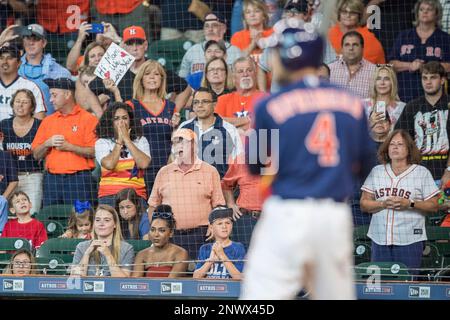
(20, 147)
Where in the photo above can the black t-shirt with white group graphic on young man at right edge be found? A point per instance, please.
(430, 128)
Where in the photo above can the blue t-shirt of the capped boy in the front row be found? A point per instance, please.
(235, 251)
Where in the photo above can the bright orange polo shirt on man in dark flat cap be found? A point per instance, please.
(78, 128)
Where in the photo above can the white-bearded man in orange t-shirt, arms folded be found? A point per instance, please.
(237, 107)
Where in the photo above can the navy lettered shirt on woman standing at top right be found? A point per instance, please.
(407, 48)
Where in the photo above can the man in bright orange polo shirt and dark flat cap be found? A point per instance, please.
(66, 141)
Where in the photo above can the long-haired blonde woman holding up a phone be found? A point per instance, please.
(383, 96)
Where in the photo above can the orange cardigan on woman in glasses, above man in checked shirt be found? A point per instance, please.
(373, 50)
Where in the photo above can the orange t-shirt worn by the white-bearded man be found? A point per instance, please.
(233, 105)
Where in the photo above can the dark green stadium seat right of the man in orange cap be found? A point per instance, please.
(172, 51)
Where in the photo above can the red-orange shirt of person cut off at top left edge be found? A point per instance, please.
(62, 16)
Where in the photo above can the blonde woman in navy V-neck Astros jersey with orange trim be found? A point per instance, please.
(154, 113)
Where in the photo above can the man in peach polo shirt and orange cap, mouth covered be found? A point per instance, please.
(191, 187)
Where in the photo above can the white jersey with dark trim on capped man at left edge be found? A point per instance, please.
(6, 93)
